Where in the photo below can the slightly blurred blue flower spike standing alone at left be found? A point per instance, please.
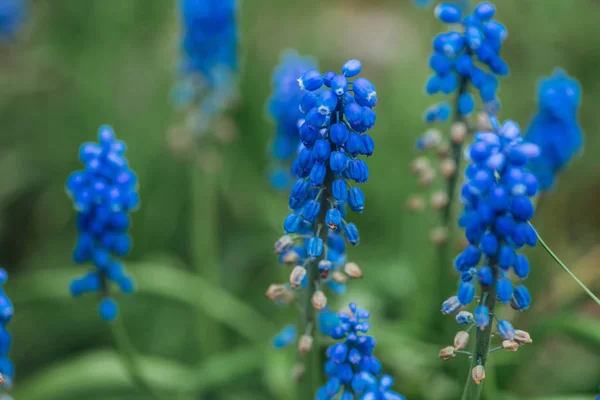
(103, 193)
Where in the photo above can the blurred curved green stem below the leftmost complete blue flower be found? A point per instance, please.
(129, 357)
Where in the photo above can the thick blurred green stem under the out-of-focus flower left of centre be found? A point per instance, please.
(203, 247)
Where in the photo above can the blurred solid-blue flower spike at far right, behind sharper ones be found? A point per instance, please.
(554, 127)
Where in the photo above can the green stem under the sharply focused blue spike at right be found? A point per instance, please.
(483, 338)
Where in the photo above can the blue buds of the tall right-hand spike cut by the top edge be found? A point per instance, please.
(457, 54)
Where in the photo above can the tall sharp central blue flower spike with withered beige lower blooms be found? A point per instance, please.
(337, 112)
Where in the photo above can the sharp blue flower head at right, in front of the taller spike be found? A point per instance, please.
(497, 208)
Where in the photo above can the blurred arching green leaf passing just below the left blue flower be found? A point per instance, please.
(163, 279)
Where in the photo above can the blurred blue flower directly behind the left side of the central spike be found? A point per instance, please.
(285, 112)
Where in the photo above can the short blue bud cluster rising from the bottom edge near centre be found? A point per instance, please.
(353, 371)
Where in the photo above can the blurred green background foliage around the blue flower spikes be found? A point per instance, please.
(78, 64)
